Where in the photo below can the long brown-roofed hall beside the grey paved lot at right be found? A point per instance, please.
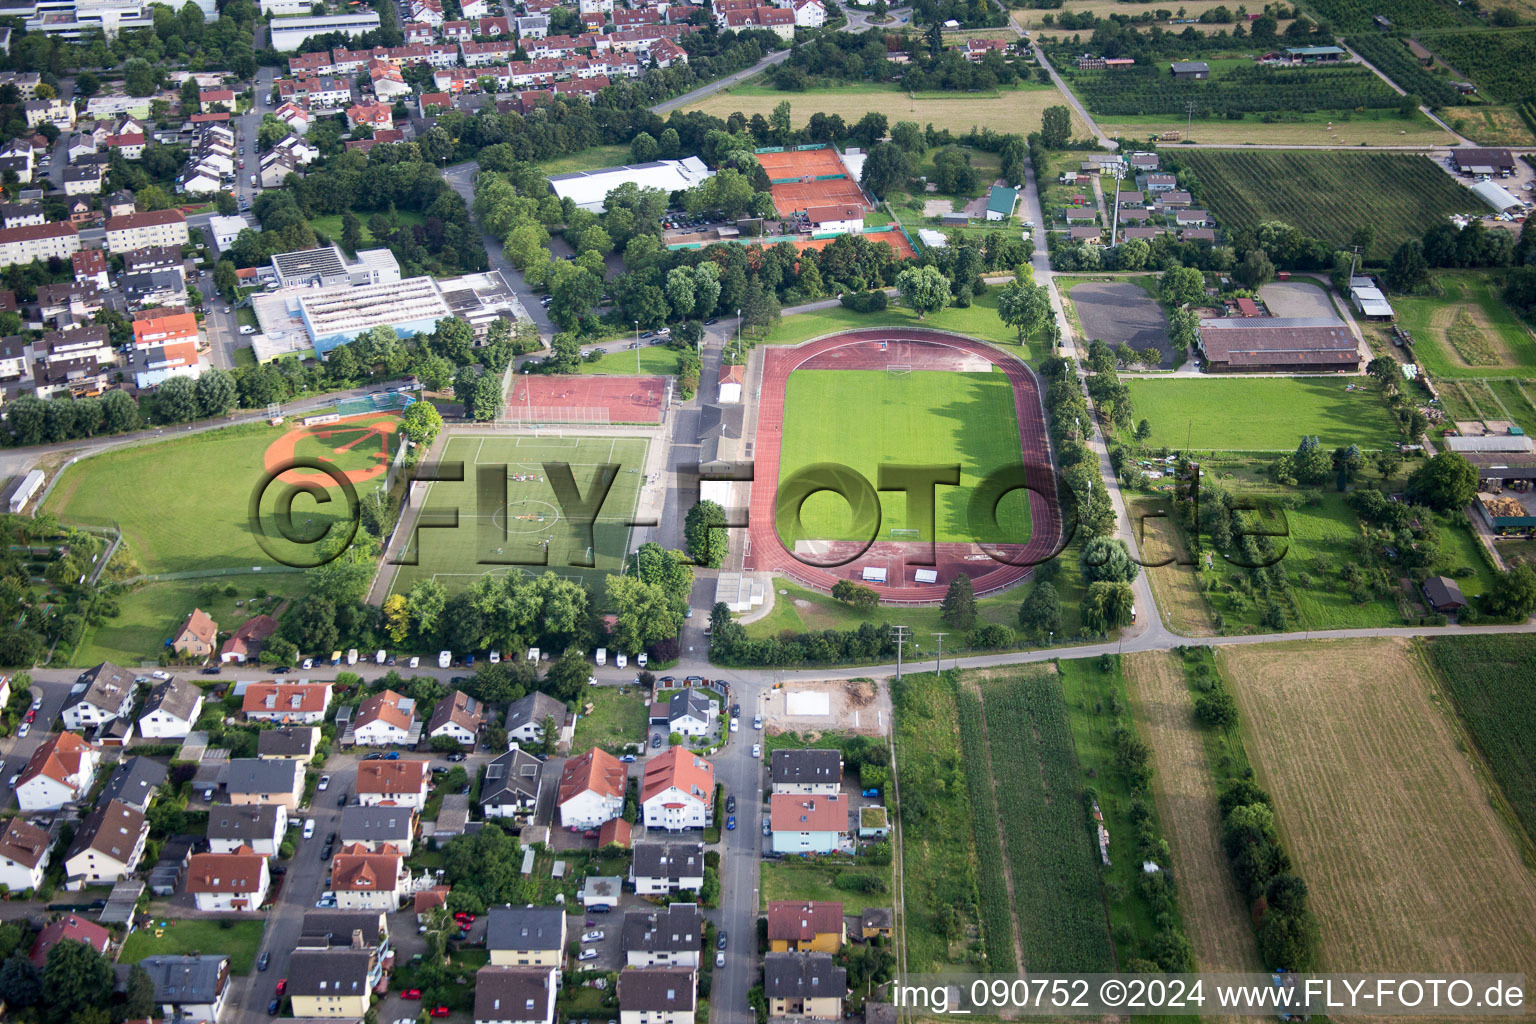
(1242, 345)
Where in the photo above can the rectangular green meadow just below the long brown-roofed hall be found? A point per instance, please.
(1260, 414)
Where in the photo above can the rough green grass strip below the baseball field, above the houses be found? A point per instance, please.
(150, 615)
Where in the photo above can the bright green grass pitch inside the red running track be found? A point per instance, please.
(864, 418)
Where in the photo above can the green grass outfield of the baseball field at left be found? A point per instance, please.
(184, 503)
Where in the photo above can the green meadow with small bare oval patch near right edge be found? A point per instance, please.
(1505, 346)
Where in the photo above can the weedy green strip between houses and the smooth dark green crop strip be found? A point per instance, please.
(939, 867)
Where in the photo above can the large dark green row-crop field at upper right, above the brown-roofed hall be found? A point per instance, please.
(1329, 196)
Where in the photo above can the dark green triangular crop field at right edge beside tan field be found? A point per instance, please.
(1489, 678)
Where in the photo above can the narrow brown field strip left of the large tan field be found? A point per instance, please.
(1187, 804)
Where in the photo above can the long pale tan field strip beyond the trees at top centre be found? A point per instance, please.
(1004, 111)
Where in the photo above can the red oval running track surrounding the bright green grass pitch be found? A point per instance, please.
(933, 351)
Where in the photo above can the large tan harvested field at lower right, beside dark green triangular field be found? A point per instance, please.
(1406, 860)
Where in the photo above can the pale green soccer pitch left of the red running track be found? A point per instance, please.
(506, 523)
